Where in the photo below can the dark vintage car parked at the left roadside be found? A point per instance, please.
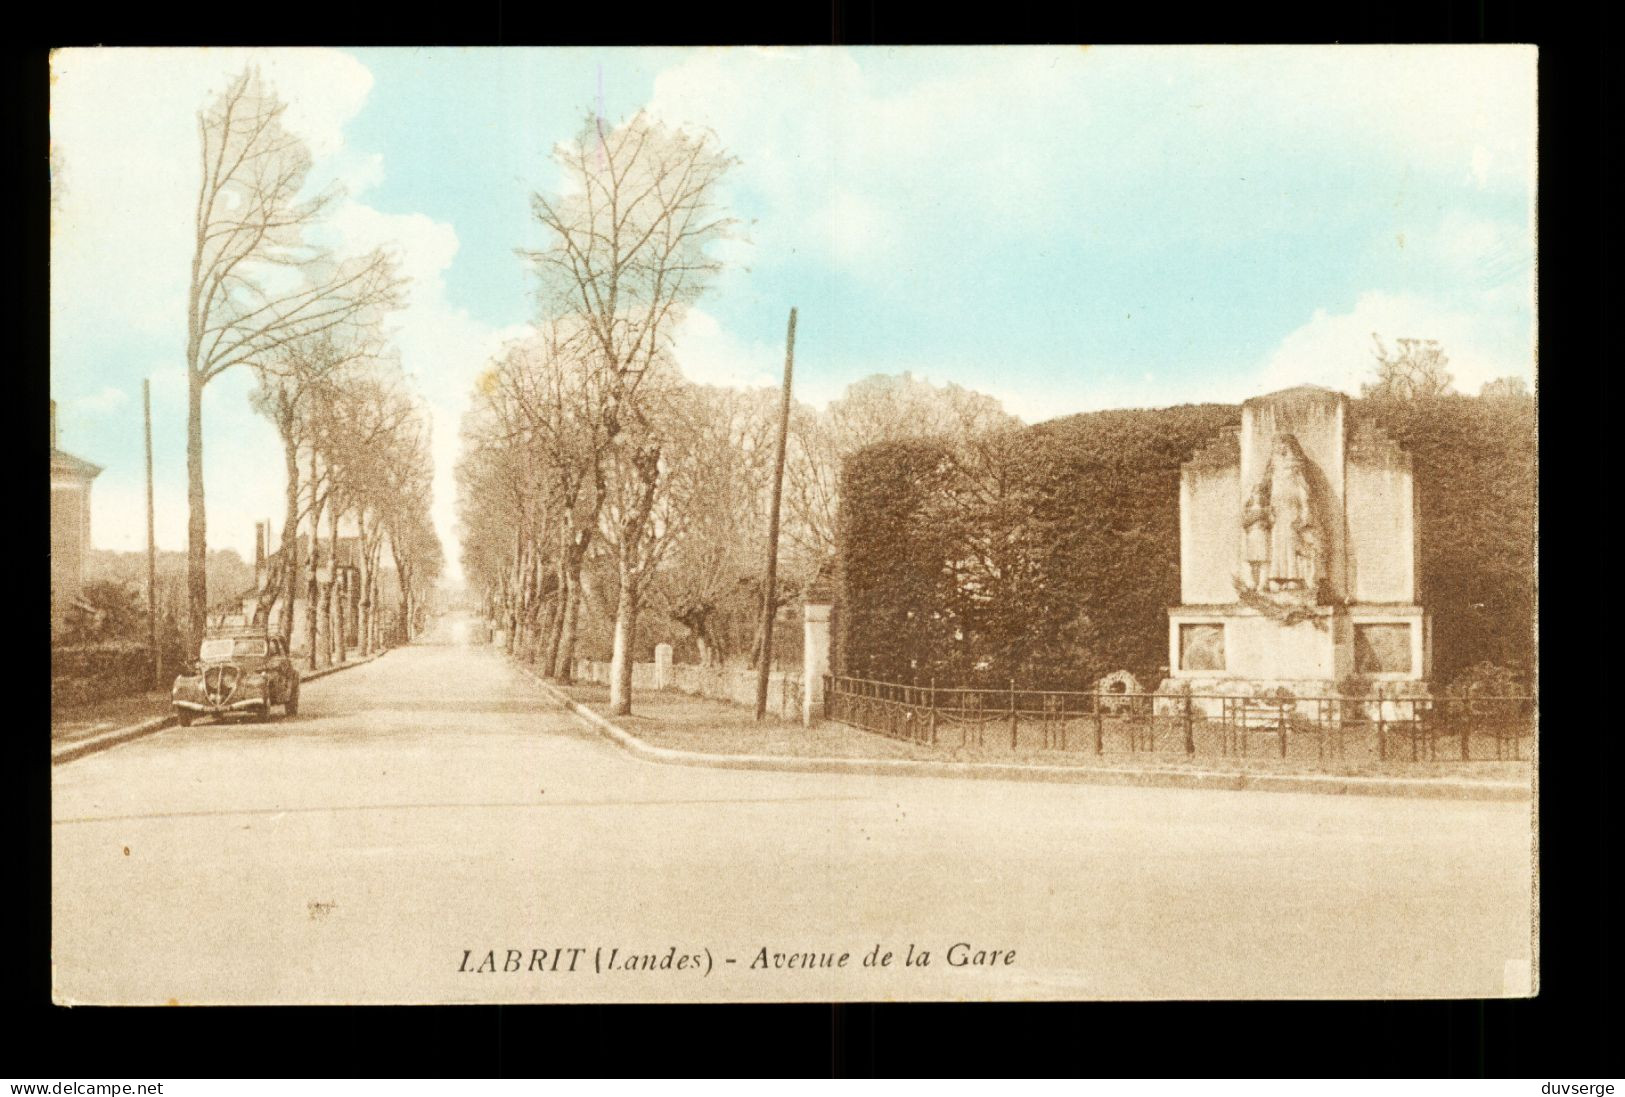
(240, 672)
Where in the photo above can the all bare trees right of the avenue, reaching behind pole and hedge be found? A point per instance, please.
(596, 482)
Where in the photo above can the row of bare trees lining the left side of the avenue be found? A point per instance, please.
(269, 295)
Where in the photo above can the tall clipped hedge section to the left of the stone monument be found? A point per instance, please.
(1047, 555)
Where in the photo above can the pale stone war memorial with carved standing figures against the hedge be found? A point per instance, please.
(1298, 557)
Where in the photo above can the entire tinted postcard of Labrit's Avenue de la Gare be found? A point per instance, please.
(794, 524)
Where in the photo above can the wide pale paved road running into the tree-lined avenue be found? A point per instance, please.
(433, 804)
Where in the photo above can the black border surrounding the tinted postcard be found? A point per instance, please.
(1571, 1031)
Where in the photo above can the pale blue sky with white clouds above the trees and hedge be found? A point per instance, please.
(1064, 228)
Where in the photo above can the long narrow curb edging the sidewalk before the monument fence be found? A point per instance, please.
(1411, 787)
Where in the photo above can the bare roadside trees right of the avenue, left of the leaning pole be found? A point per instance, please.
(584, 441)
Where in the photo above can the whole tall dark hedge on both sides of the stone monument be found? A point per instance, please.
(1052, 553)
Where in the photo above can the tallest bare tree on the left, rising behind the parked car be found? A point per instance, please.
(258, 280)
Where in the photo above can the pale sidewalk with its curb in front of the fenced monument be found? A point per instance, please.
(680, 729)
